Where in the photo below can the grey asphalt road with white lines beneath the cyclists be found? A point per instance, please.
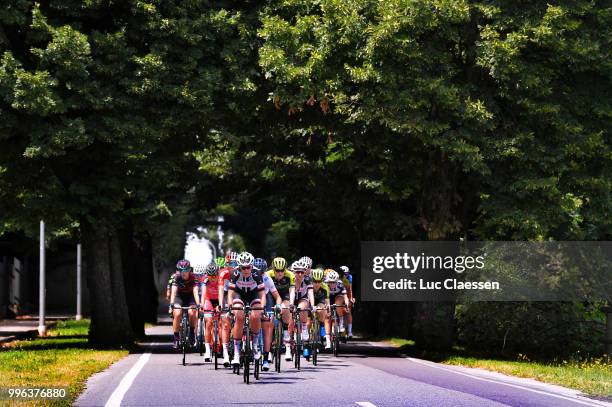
(367, 374)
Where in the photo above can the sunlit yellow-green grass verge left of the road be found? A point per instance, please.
(62, 359)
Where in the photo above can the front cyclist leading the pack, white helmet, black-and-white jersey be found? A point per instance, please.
(246, 286)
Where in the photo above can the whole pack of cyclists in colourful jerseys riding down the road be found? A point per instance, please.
(228, 284)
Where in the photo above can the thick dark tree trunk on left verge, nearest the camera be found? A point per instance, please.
(110, 322)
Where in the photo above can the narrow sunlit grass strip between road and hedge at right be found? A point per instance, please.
(592, 376)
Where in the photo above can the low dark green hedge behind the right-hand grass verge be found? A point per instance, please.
(540, 330)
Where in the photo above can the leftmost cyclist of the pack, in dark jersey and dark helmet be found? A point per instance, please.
(184, 293)
